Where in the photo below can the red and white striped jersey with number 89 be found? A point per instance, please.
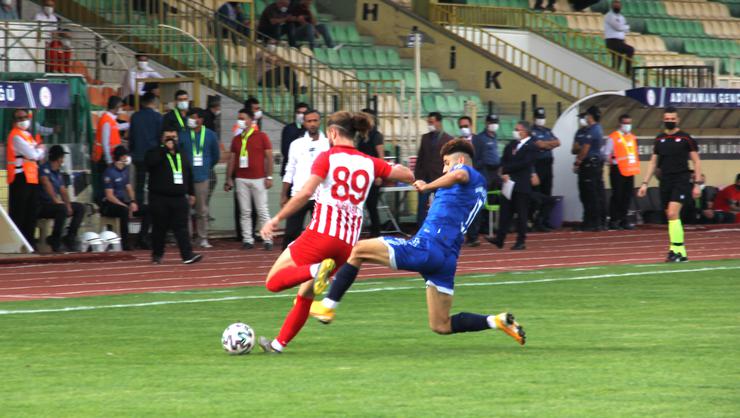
(348, 175)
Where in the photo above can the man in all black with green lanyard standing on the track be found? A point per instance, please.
(171, 194)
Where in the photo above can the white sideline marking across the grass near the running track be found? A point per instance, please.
(371, 290)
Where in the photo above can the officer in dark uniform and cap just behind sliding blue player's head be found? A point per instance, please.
(487, 162)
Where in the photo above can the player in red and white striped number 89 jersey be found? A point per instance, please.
(340, 180)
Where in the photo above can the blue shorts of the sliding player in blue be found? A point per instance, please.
(436, 263)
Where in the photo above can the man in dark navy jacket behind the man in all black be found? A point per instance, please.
(146, 127)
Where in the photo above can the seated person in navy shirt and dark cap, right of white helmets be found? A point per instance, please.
(119, 200)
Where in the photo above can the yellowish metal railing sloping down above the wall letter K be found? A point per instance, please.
(590, 47)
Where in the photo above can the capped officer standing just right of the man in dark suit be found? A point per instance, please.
(545, 141)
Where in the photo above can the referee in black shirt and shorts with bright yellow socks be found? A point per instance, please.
(671, 152)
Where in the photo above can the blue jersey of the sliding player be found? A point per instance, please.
(454, 208)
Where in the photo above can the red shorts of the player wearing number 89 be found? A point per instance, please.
(312, 247)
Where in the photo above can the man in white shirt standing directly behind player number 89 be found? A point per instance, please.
(301, 155)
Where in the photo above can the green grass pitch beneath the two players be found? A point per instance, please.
(617, 341)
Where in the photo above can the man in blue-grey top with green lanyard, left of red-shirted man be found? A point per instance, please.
(200, 145)
